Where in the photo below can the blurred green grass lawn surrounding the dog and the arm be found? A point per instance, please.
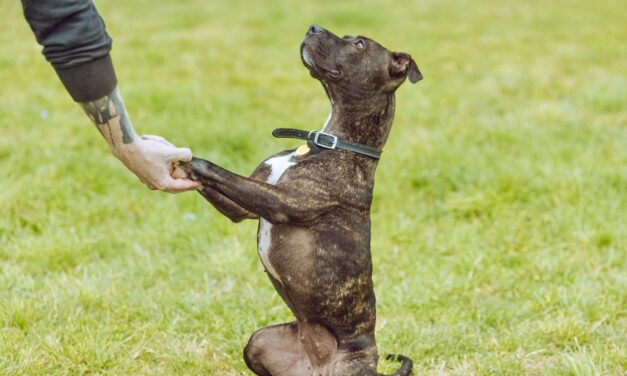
(500, 211)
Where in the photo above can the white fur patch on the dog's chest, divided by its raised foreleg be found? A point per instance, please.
(278, 165)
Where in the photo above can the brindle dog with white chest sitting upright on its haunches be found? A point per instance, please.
(314, 214)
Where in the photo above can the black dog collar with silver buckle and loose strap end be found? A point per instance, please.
(326, 141)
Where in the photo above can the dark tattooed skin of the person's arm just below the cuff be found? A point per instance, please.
(110, 117)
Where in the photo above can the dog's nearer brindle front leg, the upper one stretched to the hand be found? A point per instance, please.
(264, 200)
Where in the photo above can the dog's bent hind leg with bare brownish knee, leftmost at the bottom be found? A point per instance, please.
(277, 351)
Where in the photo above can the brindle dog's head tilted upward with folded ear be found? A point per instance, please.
(355, 65)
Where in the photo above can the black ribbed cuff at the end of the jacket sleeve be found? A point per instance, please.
(89, 81)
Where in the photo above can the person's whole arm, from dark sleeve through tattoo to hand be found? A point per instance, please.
(77, 46)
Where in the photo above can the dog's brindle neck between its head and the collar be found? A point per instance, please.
(364, 121)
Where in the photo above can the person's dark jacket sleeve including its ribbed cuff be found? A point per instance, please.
(75, 43)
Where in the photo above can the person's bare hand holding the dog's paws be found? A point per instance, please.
(153, 159)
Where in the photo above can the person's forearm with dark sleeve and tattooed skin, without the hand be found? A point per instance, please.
(75, 42)
